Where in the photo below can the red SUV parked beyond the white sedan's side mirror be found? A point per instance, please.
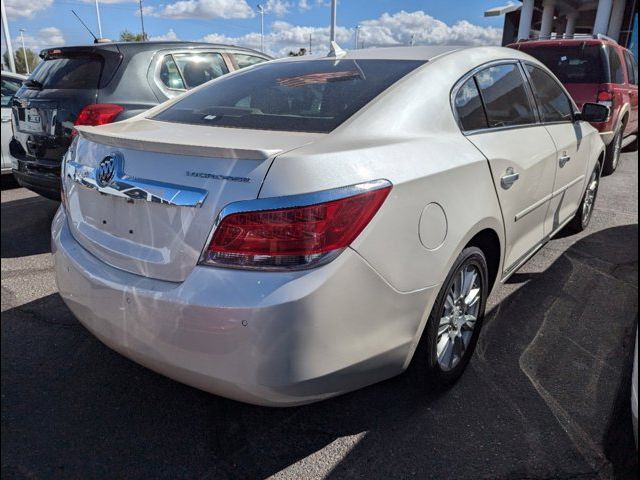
(596, 70)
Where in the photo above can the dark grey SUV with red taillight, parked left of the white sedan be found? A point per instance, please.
(103, 83)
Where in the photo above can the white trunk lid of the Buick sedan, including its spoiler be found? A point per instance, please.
(170, 182)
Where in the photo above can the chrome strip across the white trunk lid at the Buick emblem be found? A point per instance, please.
(132, 188)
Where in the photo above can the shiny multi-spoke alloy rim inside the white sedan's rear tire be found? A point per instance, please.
(459, 317)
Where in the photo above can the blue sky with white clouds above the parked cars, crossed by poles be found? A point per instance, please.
(288, 23)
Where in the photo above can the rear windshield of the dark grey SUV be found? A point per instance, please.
(77, 72)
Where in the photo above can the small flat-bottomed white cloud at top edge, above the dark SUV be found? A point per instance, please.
(204, 9)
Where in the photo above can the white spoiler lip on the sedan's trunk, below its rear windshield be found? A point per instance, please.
(197, 140)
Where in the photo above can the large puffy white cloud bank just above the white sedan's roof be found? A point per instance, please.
(401, 27)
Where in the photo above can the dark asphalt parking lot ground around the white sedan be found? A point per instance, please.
(546, 395)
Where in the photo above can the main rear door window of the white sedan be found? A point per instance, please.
(505, 96)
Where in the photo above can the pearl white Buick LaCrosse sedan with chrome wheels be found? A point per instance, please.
(309, 226)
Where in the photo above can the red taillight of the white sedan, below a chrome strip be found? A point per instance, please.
(294, 237)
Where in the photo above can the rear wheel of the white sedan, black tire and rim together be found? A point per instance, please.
(432, 363)
